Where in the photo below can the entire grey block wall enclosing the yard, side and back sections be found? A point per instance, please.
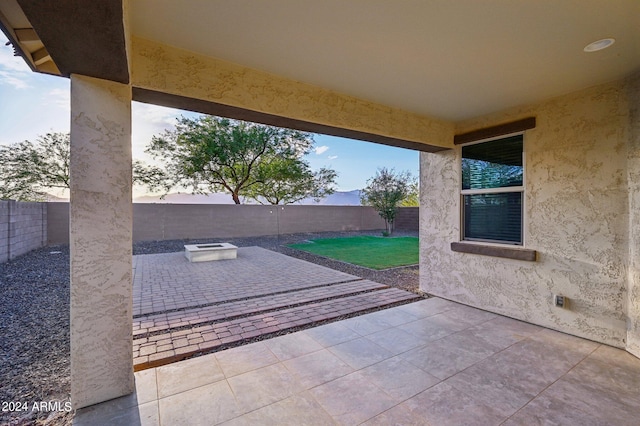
(26, 226)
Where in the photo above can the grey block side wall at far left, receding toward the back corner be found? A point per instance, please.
(23, 227)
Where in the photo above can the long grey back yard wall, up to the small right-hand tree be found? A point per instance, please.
(190, 221)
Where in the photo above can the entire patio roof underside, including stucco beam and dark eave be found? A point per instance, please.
(429, 64)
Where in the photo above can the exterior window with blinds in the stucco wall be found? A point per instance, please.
(493, 190)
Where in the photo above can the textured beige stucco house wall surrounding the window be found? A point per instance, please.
(576, 217)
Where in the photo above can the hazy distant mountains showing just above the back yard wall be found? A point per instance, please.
(339, 198)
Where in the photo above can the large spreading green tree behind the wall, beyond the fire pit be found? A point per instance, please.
(210, 154)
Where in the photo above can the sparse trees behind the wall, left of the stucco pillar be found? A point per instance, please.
(28, 170)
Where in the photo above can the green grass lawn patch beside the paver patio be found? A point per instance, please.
(371, 252)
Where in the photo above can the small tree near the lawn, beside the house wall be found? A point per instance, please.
(385, 191)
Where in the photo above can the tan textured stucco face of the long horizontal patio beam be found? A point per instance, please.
(171, 70)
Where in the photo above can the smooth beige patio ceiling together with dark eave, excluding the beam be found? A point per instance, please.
(450, 60)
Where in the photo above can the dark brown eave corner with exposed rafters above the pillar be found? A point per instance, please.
(65, 37)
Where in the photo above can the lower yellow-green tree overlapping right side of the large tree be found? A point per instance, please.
(286, 181)
